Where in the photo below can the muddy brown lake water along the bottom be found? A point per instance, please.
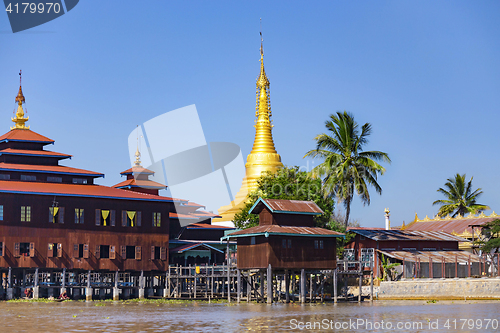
(384, 316)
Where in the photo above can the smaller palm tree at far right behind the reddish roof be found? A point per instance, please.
(460, 199)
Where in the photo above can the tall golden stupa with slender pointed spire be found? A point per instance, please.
(263, 156)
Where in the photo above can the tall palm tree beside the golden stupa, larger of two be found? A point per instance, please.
(346, 168)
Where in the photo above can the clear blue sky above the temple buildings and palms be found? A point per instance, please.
(425, 74)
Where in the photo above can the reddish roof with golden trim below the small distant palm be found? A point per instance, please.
(458, 226)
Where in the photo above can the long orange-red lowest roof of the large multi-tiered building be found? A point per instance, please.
(77, 190)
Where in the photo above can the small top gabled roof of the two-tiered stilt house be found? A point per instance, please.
(286, 206)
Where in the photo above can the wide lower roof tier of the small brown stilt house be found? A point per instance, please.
(270, 230)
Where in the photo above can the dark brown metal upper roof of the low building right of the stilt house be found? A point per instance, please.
(405, 235)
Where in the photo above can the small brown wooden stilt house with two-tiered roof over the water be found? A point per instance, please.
(285, 238)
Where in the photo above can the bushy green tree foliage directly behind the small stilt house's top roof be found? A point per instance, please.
(287, 183)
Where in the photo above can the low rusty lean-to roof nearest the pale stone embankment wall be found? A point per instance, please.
(436, 256)
